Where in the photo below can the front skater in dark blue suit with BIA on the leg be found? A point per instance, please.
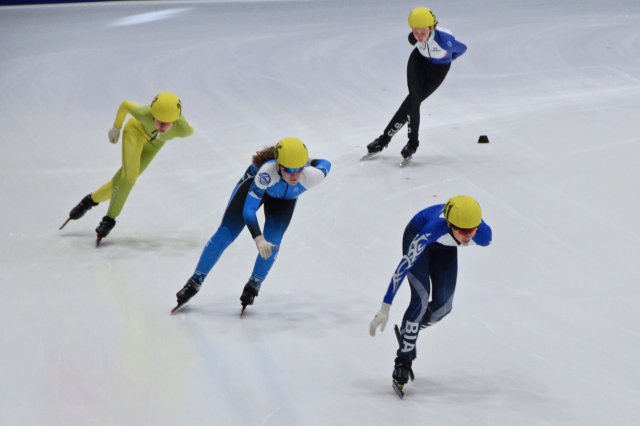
(430, 260)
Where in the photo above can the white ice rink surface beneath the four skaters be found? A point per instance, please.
(544, 329)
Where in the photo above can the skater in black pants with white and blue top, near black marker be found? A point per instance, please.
(429, 63)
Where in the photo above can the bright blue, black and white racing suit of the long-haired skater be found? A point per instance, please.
(259, 186)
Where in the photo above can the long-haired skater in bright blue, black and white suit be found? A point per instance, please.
(276, 178)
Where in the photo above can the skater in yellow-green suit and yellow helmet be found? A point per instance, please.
(145, 133)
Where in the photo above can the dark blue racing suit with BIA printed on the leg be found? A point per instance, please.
(430, 260)
